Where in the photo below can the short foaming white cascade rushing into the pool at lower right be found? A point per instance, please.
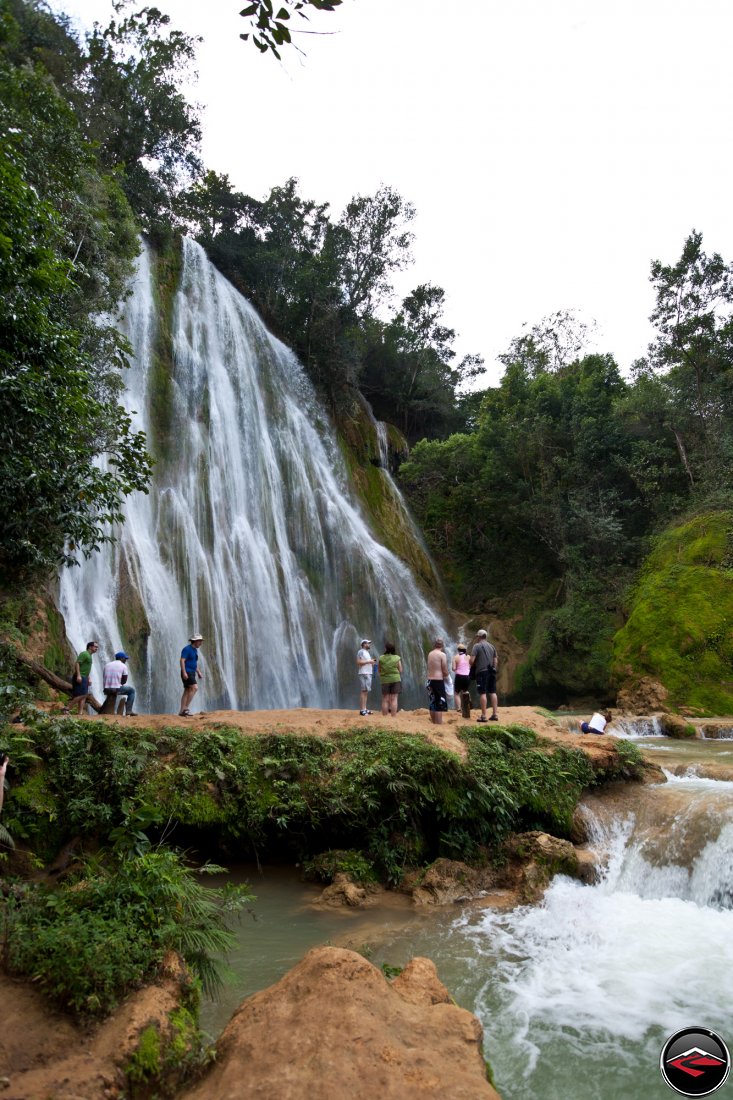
(578, 995)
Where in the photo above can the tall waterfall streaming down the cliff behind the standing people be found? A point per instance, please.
(250, 534)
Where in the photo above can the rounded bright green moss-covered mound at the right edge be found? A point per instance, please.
(681, 628)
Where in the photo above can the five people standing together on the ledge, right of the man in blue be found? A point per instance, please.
(480, 665)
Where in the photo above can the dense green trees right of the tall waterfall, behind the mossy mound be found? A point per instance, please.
(546, 509)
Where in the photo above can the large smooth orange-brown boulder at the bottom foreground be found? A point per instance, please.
(335, 1028)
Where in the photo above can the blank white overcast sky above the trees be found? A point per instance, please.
(553, 148)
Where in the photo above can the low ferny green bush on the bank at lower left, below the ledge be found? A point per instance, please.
(110, 928)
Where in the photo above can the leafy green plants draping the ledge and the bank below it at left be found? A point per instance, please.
(110, 799)
